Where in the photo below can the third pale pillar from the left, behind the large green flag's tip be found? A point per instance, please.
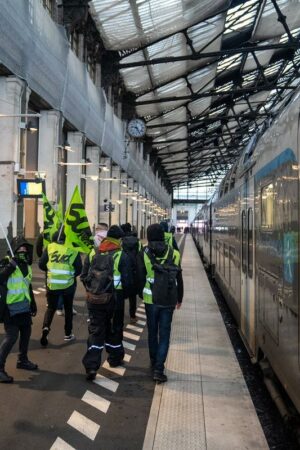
(75, 139)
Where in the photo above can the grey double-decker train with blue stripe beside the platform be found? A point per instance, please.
(254, 247)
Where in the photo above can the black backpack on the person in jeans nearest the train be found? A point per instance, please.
(164, 288)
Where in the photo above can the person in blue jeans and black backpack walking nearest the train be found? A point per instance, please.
(161, 287)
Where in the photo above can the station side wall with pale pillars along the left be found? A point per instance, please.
(118, 171)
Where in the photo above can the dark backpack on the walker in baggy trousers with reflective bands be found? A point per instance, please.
(99, 282)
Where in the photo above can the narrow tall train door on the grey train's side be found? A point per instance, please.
(247, 264)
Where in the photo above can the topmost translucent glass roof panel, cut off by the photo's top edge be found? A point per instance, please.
(143, 22)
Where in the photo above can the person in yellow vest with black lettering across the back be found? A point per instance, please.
(62, 265)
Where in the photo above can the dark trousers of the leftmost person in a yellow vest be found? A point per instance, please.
(12, 331)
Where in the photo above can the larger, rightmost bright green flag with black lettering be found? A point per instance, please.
(77, 229)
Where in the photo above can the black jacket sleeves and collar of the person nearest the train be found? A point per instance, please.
(159, 250)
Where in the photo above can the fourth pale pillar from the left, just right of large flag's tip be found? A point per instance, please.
(92, 186)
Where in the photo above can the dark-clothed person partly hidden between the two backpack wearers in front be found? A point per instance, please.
(131, 245)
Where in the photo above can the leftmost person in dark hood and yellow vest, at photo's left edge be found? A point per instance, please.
(17, 305)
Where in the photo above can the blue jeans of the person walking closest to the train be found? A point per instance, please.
(159, 321)
